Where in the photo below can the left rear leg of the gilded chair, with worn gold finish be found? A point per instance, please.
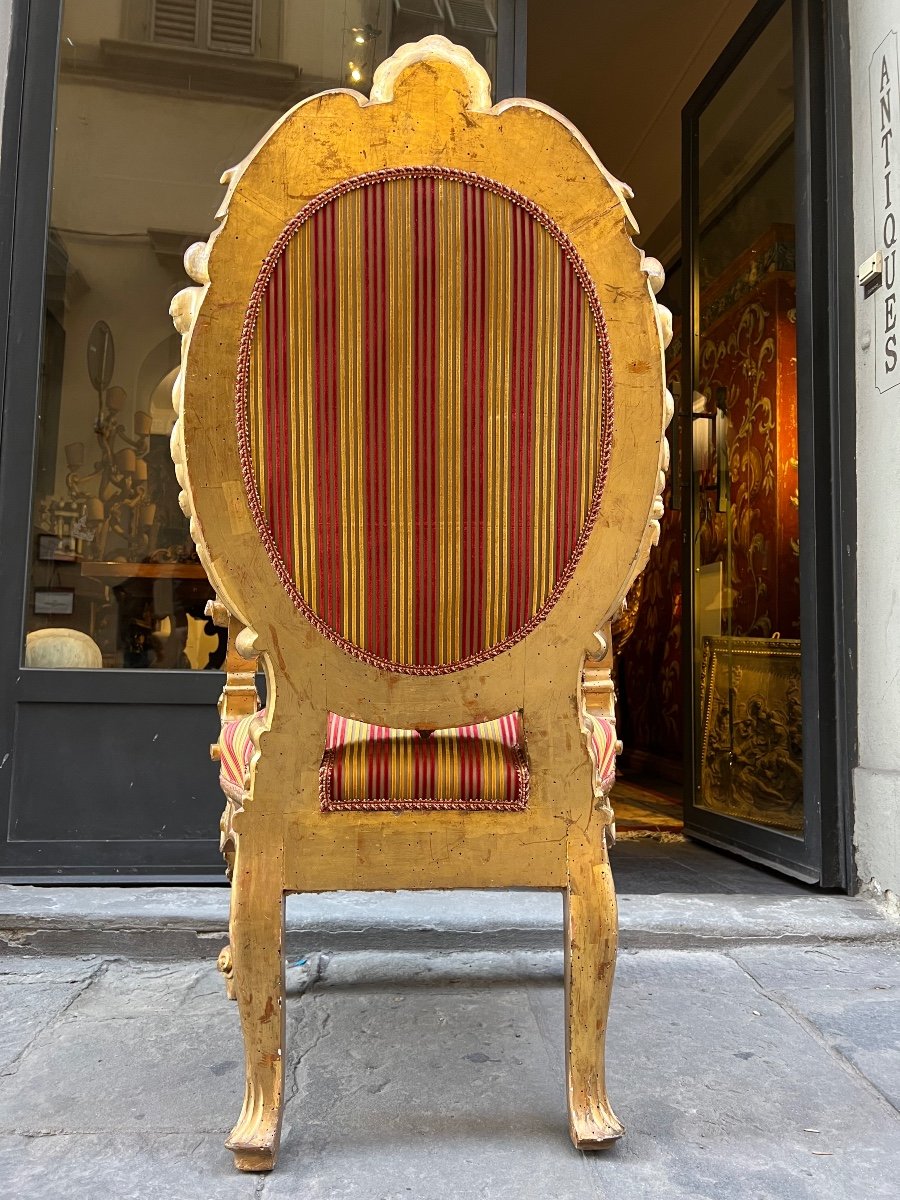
(257, 937)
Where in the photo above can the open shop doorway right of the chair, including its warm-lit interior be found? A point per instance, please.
(718, 685)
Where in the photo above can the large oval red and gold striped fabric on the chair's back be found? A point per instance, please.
(424, 413)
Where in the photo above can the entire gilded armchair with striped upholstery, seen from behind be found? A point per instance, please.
(421, 441)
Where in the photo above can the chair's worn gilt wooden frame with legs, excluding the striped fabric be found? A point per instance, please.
(430, 106)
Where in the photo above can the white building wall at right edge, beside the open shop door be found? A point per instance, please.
(878, 777)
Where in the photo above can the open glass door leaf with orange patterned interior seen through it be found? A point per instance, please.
(740, 457)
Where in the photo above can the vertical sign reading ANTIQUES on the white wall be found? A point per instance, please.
(885, 107)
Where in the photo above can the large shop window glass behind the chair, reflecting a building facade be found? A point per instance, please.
(154, 103)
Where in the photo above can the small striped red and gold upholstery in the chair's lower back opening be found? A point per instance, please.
(472, 767)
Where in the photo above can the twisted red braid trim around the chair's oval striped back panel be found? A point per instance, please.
(243, 419)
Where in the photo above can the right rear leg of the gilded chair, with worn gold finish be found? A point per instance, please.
(591, 944)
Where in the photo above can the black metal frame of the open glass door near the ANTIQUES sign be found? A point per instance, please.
(826, 437)
